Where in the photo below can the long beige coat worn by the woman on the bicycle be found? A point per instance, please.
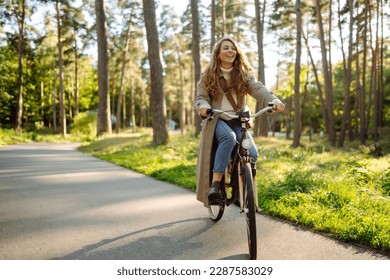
(207, 149)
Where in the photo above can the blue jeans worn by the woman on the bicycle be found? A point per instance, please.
(226, 139)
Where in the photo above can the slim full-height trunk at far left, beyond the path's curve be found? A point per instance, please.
(61, 73)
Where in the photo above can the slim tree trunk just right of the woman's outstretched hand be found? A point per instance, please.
(297, 72)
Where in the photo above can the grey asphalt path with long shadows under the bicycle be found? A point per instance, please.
(58, 203)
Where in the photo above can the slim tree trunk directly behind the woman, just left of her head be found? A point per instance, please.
(196, 55)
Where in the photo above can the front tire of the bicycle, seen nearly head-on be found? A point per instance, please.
(250, 212)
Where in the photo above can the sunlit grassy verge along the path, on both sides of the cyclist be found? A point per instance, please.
(344, 192)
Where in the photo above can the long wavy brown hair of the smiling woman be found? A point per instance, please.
(241, 70)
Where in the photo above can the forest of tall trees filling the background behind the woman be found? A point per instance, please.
(332, 64)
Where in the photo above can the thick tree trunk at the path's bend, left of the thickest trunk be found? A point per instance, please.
(104, 114)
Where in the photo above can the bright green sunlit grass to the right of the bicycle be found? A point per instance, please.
(345, 193)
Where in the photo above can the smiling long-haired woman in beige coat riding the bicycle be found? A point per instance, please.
(224, 85)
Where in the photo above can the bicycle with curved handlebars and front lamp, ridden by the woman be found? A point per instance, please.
(239, 186)
